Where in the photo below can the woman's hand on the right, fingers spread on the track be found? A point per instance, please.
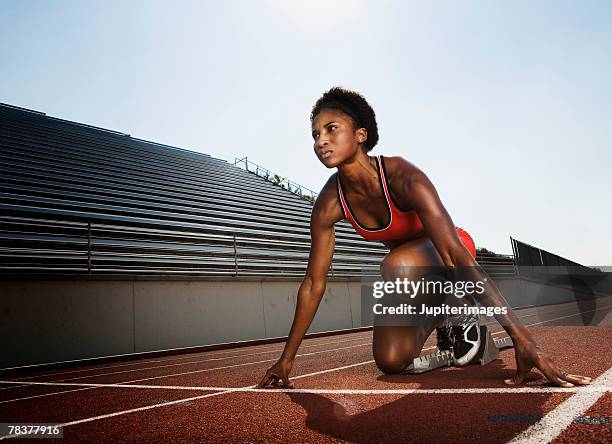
(528, 355)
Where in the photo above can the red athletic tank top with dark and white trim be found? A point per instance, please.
(402, 224)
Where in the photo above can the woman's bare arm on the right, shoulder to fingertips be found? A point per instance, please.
(415, 189)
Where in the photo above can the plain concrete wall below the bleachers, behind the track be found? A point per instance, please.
(51, 321)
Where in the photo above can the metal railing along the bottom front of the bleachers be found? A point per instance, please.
(58, 247)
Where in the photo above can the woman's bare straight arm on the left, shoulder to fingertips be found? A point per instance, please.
(325, 214)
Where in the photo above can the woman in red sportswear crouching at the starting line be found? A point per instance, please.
(392, 201)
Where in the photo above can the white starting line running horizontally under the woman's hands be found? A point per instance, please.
(595, 388)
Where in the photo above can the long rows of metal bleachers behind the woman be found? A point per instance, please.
(76, 199)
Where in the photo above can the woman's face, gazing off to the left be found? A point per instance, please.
(335, 140)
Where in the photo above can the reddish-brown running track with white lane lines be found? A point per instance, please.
(340, 395)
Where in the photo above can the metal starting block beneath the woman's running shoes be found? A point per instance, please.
(488, 351)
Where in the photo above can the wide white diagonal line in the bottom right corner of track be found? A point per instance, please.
(558, 419)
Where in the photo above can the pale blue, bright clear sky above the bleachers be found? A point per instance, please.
(505, 105)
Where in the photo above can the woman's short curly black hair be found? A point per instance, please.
(353, 105)
